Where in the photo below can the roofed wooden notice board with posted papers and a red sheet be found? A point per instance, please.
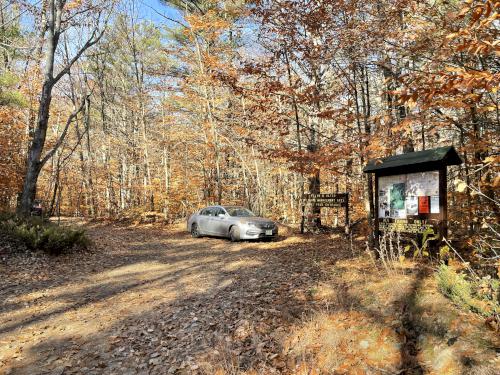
(411, 193)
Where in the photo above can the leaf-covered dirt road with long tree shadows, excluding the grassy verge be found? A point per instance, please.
(157, 301)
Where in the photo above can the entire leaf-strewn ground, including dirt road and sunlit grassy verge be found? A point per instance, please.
(153, 300)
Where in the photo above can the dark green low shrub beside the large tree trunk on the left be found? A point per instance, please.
(40, 235)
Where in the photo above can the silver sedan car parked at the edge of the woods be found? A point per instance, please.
(234, 222)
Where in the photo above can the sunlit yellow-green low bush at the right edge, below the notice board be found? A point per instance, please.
(479, 296)
